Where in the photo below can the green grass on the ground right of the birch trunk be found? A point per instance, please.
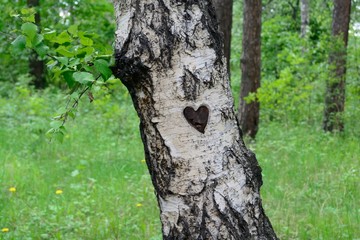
(311, 188)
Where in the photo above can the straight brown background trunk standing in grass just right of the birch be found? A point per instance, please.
(250, 67)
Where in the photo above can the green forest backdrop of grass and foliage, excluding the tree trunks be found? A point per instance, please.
(93, 183)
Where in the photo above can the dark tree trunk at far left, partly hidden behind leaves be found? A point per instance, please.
(36, 66)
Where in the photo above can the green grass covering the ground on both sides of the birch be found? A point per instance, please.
(311, 179)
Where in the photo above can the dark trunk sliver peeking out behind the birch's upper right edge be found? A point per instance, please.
(223, 9)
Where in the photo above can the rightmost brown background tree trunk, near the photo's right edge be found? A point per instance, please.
(335, 86)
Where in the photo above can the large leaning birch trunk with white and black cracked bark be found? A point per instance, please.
(169, 55)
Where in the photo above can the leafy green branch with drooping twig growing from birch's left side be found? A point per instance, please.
(71, 54)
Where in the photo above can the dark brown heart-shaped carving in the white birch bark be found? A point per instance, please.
(198, 119)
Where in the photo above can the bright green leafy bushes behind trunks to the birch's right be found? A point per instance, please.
(295, 70)
